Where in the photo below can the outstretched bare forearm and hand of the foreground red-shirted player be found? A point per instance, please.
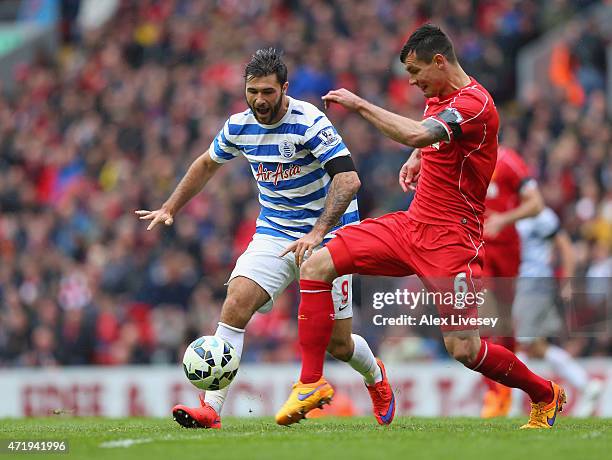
(401, 129)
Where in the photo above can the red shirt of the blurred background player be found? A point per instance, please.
(504, 192)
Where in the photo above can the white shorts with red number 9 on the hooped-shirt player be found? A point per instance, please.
(262, 264)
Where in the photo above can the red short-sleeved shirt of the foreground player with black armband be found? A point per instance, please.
(455, 174)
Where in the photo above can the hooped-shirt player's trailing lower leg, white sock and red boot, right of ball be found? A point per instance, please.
(354, 350)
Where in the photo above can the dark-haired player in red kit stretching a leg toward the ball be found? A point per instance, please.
(439, 238)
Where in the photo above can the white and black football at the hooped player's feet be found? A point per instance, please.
(210, 363)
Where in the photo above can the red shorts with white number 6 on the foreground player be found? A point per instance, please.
(442, 256)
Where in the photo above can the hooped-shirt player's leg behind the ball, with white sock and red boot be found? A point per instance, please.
(244, 297)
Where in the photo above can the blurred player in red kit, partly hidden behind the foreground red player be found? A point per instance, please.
(512, 195)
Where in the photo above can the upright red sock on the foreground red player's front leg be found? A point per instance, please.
(315, 325)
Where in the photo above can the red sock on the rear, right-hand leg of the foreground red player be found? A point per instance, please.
(501, 365)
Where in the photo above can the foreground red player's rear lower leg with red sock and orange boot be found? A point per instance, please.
(501, 365)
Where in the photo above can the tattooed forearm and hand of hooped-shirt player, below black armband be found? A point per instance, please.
(343, 188)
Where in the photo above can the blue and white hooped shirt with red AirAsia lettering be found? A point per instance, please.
(287, 160)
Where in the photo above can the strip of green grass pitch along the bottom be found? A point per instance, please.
(259, 438)
